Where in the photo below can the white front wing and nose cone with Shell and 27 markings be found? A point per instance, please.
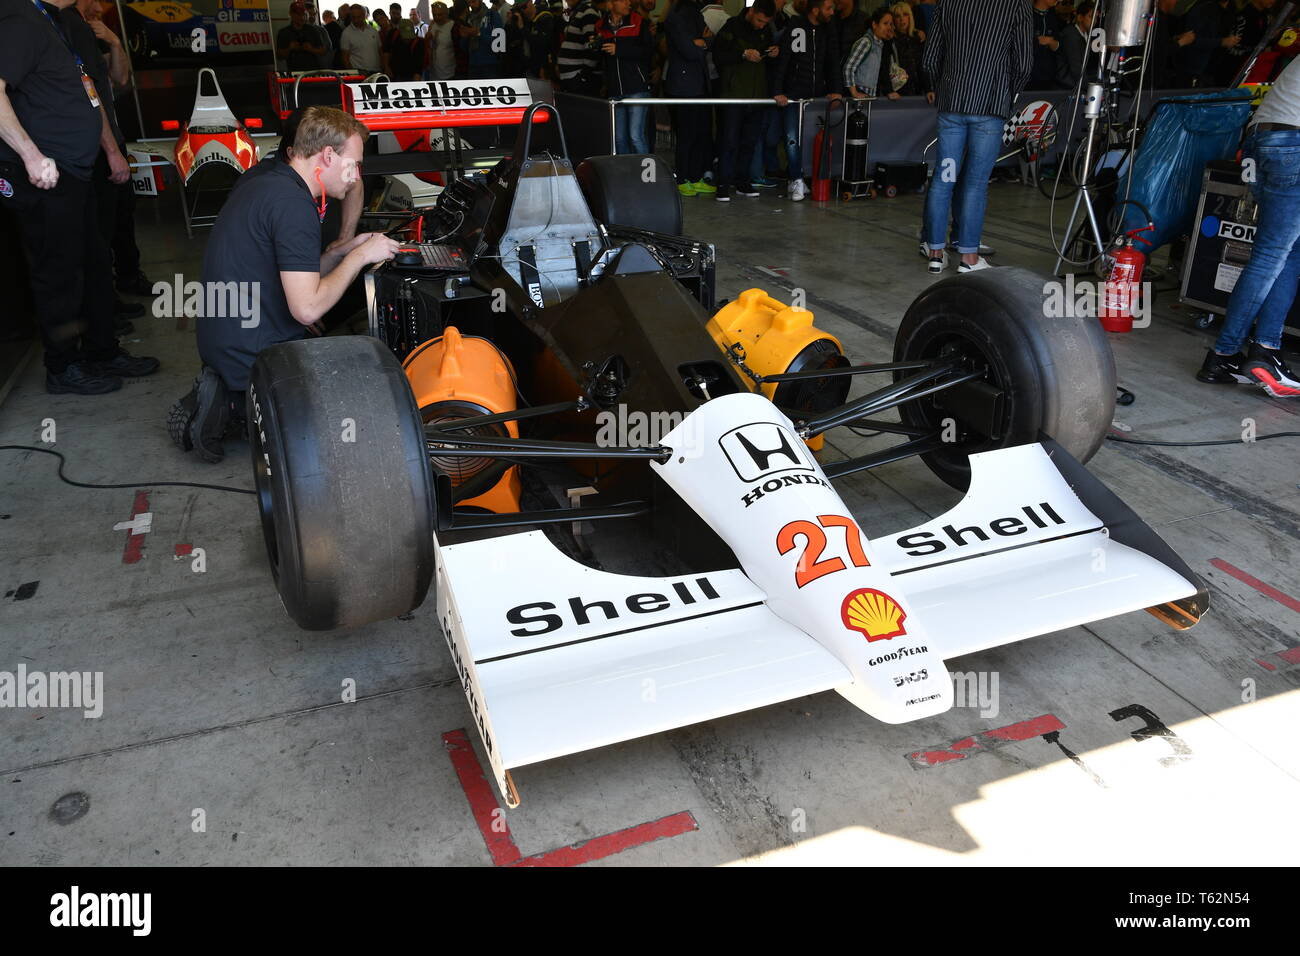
(557, 657)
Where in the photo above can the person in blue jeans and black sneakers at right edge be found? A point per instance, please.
(1267, 287)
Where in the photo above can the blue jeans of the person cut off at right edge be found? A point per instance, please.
(1267, 287)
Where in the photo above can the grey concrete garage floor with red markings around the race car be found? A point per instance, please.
(226, 737)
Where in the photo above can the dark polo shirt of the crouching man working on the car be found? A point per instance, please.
(268, 226)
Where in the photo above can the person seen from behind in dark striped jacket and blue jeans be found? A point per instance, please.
(978, 57)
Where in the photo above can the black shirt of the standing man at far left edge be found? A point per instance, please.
(46, 89)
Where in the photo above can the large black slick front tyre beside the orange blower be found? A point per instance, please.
(344, 482)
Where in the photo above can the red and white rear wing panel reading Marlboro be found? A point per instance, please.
(440, 103)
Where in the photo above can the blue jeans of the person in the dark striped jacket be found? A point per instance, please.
(968, 150)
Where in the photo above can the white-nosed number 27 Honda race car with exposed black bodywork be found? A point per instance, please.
(562, 305)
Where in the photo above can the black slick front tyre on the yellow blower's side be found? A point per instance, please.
(1056, 374)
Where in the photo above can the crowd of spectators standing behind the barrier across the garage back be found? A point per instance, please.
(778, 50)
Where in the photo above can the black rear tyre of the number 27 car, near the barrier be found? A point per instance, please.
(625, 192)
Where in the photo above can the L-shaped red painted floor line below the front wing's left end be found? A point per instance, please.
(501, 845)
